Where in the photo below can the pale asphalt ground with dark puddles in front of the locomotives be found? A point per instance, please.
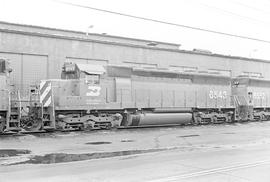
(237, 152)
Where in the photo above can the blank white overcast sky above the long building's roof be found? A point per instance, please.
(242, 17)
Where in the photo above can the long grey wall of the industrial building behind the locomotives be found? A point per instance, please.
(35, 55)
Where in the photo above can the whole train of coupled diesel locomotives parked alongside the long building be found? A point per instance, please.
(118, 96)
